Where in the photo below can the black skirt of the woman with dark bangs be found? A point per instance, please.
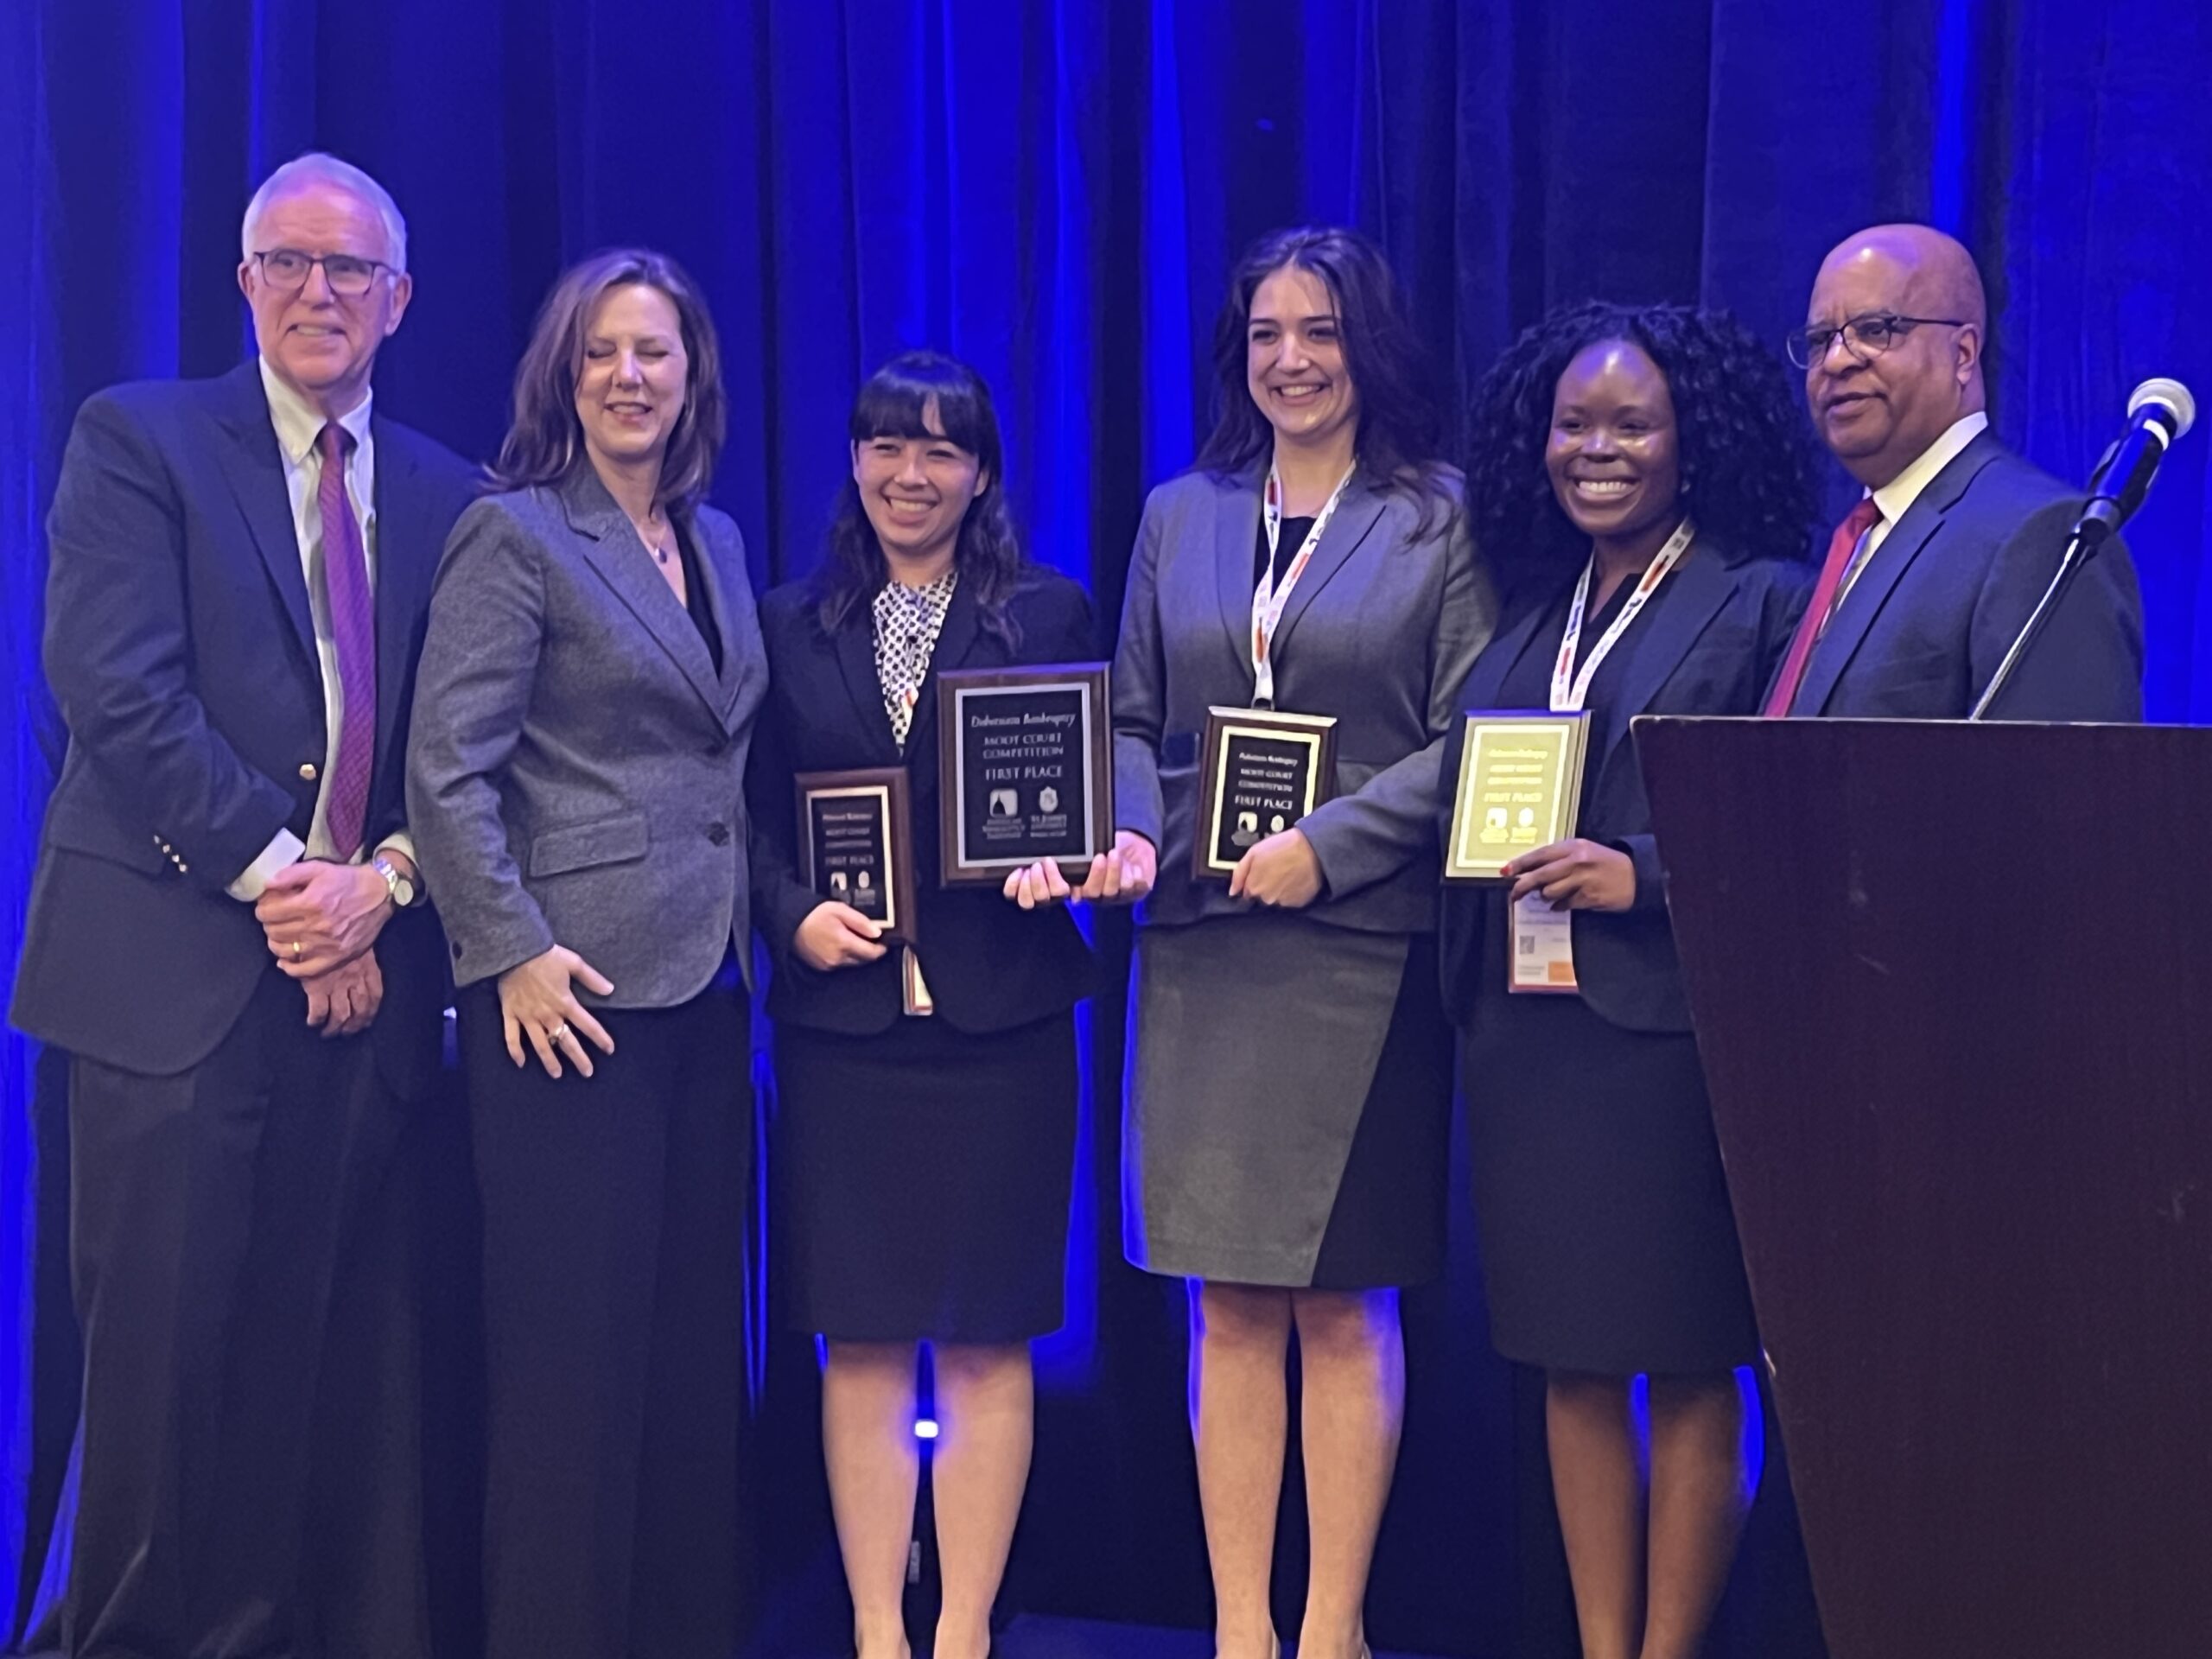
(921, 1180)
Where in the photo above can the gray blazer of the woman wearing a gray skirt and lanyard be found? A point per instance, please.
(1379, 632)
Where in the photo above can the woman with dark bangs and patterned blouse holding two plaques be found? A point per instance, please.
(926, 1125)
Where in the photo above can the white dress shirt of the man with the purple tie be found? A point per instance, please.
(298, 430)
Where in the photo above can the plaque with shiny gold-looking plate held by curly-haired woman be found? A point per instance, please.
(1521, 789)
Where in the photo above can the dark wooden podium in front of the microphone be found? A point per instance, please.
(1954, 994)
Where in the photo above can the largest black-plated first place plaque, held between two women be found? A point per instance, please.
(1025, 771)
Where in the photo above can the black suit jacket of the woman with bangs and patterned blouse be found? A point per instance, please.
(990, 963)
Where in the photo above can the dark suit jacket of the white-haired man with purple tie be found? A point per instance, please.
(182, 656)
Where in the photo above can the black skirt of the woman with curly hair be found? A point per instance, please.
(1600, 1202)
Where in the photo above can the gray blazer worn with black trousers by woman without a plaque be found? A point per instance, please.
(576, 771)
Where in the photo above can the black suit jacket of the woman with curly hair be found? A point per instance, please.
(1709, 649)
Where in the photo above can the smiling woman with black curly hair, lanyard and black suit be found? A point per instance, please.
(1642, 483)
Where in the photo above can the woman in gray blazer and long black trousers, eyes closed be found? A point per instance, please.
(578, 758)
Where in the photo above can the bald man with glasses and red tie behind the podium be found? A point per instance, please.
(1937, 570)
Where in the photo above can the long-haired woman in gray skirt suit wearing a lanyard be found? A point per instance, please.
(1288, 1120)
